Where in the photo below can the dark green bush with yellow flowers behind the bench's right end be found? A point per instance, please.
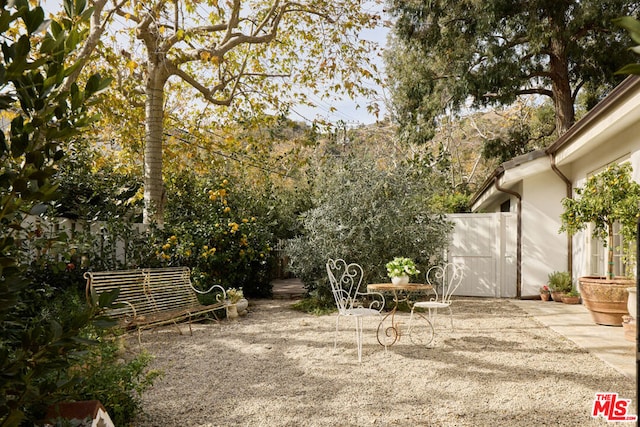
(219, 240)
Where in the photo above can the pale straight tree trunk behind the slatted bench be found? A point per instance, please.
(154, 195)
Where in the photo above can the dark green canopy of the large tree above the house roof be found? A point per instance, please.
(449, 53)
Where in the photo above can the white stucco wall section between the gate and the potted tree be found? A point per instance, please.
(544, 250)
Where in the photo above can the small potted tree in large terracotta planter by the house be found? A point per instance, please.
(607, 198)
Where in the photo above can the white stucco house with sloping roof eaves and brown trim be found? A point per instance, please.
(609, 133)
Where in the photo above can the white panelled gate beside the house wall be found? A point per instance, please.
(486, 245)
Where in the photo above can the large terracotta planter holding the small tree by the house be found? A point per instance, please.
(605, 298)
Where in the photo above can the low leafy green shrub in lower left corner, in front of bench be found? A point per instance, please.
(92, 367)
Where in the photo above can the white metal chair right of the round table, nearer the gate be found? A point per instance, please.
(445, 279)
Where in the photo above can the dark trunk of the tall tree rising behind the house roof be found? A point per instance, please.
(560, 85)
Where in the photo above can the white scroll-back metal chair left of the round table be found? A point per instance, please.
(345, 282)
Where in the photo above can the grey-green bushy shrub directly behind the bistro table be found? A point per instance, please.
(369, 214)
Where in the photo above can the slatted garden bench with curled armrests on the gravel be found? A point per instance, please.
(152, 296)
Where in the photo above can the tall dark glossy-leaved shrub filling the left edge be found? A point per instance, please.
(44, 323)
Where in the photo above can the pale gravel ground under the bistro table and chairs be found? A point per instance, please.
(501, 366)
